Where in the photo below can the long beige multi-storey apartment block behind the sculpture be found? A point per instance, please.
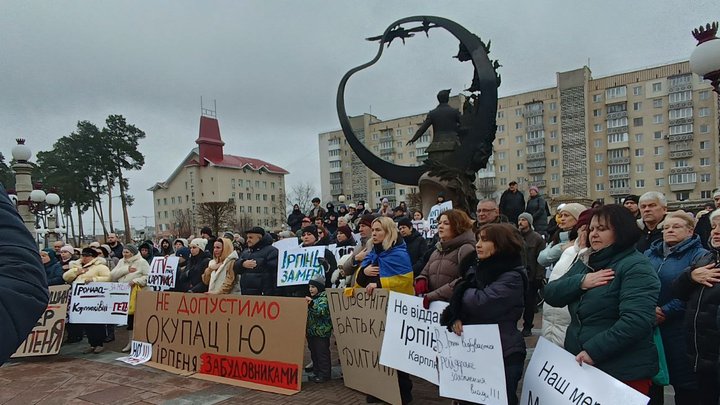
(592, 138)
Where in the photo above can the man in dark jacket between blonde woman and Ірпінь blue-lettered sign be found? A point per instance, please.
(257, 265)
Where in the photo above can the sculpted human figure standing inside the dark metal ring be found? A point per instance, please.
(445, 122)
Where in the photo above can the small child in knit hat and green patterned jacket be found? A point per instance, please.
(319, 329)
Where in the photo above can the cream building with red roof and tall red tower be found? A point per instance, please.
(207, 174)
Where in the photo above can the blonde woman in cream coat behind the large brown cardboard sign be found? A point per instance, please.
(219, 275)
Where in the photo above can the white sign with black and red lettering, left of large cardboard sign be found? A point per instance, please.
(99, 303)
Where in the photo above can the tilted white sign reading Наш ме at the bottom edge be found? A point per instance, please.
(554, 377)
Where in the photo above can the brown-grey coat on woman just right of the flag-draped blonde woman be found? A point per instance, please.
(443, 268)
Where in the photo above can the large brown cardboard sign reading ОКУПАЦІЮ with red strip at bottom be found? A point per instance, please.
(249, 341)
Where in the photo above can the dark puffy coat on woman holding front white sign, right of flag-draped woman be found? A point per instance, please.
(491, 292)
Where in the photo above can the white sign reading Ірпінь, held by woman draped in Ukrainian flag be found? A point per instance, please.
(409, 340)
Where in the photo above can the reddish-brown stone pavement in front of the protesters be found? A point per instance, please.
(75, 378)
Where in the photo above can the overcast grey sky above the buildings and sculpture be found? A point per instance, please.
(274, 66)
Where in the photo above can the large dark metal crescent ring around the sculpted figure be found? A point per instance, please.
(477, 124)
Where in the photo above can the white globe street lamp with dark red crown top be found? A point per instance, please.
(705, 59)
